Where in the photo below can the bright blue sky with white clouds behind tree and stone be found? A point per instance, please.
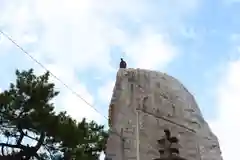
(82, 41)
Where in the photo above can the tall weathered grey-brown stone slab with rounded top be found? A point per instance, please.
(162, 103)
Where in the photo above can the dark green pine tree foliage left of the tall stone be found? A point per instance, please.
(31, 129)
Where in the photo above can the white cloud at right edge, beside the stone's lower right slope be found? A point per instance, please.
(227, 126)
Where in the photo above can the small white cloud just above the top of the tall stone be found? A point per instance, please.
(151, 50)
